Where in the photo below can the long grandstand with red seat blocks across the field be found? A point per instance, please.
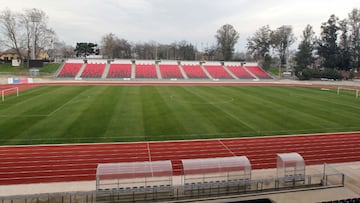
(126, 69)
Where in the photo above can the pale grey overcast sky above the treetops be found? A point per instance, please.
(167, 21)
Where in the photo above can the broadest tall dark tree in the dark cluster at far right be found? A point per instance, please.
(327, 45)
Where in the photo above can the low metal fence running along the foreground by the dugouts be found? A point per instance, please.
(330, 177)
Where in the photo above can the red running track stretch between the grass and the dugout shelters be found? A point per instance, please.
(58, 163)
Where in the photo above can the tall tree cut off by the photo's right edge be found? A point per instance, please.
(354, 29)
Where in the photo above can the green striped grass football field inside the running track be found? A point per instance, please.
(73, 114)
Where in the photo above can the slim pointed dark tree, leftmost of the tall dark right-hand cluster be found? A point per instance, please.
(304, 57)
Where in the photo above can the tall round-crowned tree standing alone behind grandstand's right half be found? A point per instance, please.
(226, 38)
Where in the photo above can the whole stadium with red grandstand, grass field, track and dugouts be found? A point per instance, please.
(177, 131)
